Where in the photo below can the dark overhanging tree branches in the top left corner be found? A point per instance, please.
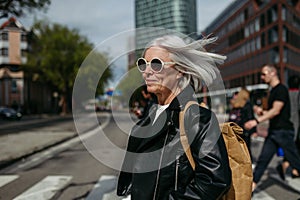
(18, 8)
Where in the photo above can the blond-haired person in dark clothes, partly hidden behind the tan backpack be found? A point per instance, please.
(241, 112)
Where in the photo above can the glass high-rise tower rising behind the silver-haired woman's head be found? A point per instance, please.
(176, 15)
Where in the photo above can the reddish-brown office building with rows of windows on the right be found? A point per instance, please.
(253, 33)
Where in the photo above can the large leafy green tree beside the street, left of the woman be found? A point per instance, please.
(56, 54)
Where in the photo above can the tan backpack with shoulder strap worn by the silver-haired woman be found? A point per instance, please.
(238, 154)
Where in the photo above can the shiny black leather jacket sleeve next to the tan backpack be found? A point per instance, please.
(212, 173)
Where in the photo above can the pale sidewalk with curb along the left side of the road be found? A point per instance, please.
(18, 139)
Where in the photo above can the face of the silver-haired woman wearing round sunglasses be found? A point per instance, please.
(164, 81)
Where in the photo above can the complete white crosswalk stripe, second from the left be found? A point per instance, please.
(45, 189)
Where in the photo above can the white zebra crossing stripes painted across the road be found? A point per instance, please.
(104, 189)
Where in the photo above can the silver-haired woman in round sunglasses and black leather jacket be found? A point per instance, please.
(155, 165)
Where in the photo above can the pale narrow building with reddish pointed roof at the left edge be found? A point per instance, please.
(13, 45)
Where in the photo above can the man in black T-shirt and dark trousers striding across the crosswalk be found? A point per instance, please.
(281, 130)
